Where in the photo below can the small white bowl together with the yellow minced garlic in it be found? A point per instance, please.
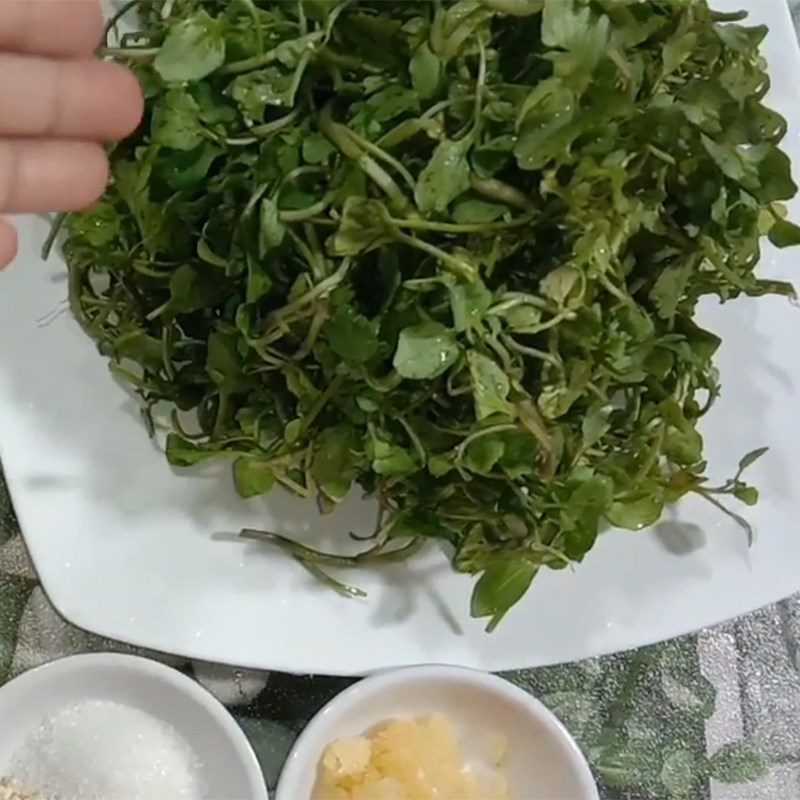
(435, 733)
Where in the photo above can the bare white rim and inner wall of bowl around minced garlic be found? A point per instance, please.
(543, 761)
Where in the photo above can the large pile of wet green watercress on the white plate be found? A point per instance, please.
(447, 251)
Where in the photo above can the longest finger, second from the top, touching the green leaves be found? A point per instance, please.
(85, 98)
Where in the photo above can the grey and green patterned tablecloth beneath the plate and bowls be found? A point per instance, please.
(713, 715)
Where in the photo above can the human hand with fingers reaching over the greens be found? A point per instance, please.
(58, 102)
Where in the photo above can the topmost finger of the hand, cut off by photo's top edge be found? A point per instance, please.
(61, 28)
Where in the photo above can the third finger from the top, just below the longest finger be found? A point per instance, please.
(40, 176)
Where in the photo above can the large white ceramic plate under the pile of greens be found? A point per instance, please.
(127, 548)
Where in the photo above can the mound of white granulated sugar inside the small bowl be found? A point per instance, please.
(107, 751)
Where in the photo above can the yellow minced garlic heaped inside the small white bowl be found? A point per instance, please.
(406, 760)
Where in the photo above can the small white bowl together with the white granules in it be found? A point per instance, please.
(115, 727)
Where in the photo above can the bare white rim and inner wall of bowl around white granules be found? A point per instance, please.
(229, 766)
